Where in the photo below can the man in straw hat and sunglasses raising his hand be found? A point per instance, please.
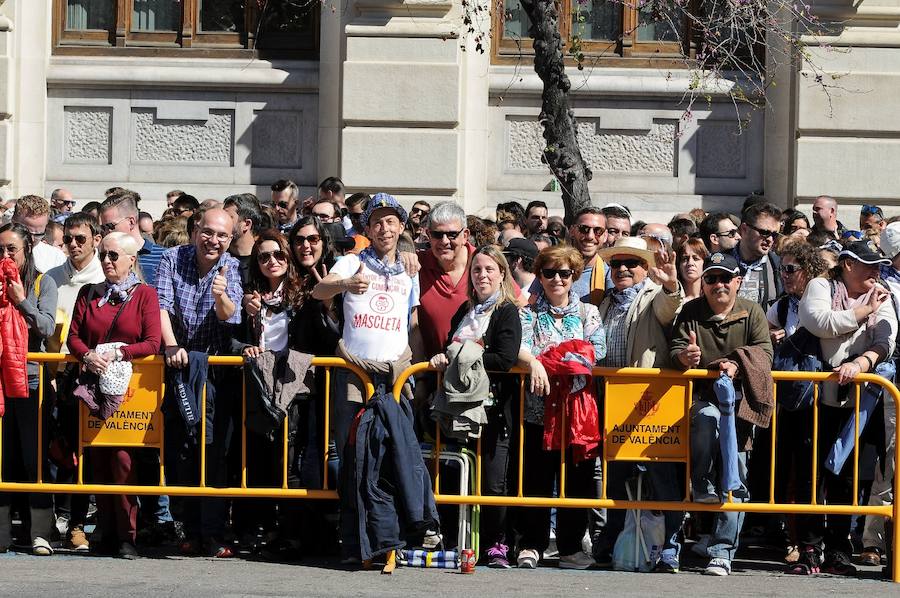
(637, 312)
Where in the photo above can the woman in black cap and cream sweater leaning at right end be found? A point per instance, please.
(853, 316)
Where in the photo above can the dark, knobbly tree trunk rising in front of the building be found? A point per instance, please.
(561, 152)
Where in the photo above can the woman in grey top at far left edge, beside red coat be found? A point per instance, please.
(34, 297)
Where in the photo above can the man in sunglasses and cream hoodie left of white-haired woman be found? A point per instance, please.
(81, 235)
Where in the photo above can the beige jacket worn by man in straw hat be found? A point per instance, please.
(649, 321)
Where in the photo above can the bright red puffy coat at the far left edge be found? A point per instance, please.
(13, 339)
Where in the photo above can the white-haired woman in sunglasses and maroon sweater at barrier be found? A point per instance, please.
(121, 309)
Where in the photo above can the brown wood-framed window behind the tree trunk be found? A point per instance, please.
(609, 31)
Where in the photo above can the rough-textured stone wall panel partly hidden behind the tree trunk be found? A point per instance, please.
(605, 150)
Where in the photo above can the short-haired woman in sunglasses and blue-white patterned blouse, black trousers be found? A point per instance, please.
(556, 315)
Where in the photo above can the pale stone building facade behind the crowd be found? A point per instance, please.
(385, 95)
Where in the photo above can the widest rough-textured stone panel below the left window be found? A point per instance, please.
(180, 141)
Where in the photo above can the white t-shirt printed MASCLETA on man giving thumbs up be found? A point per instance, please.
(376, 323)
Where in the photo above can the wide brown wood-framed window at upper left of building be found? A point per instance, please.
(282, 28)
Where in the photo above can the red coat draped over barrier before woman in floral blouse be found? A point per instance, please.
(565, 364)
